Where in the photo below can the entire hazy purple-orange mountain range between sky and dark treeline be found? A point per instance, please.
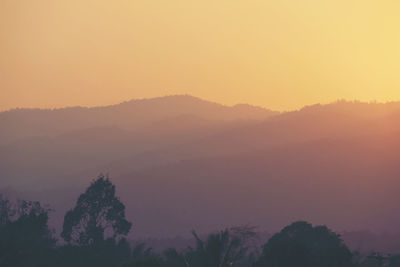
(180, 162)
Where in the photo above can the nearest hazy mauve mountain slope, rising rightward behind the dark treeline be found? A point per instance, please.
(350, 184)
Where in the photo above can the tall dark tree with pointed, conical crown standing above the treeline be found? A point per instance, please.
(98, 212)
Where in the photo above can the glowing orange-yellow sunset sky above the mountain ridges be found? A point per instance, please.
(280, 54)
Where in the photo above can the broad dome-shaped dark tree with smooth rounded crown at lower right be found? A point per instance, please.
(302, 245)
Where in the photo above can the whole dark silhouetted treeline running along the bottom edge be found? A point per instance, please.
(25, 240)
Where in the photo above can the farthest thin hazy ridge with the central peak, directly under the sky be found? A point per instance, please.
(20, 124)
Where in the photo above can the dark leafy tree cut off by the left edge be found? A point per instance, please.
(25, 239)
